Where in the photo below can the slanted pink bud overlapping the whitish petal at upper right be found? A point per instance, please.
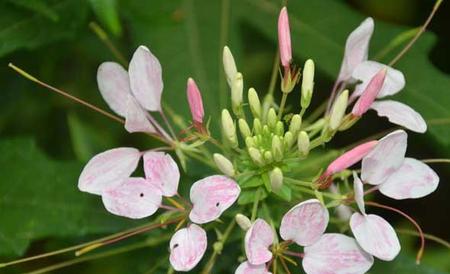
(369, 94)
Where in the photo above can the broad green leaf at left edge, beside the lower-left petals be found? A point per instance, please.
(39, 198)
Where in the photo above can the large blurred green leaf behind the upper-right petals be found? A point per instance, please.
(319, 30)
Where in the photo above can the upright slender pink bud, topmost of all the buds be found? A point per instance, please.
(284, 38)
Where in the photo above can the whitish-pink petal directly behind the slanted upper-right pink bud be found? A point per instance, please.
(394, 82)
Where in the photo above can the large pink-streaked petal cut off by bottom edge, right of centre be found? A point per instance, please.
(336, 254)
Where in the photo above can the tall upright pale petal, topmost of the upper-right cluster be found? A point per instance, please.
(356, 48)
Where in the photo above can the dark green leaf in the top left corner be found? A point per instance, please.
(20, 29)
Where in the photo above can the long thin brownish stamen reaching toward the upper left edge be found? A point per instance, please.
(65, 94)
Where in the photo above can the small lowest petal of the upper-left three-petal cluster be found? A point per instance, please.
(136, 119)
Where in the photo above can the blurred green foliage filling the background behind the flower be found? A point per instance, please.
(39, 202)
